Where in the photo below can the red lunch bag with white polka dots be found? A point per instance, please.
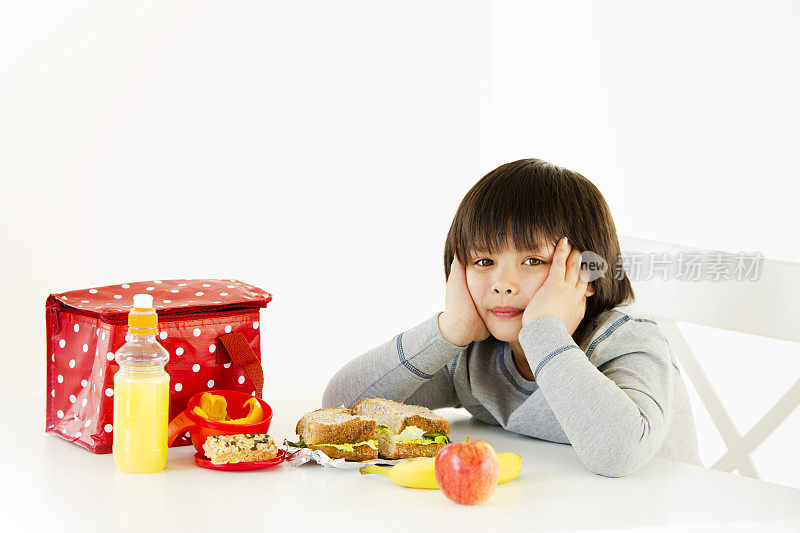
(210, 327)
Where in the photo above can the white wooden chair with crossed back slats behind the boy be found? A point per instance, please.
(768, 306)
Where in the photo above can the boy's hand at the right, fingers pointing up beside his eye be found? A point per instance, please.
(563, 294)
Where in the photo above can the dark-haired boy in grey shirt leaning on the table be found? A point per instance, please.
(528, 340)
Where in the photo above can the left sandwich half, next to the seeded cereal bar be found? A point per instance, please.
(338, 434)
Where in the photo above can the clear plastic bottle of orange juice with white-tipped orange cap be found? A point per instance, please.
(141, 394)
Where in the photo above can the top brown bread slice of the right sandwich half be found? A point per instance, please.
(397, 416)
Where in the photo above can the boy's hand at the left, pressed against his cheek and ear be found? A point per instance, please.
(460, 323)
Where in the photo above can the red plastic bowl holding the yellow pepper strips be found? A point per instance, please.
(201, 428)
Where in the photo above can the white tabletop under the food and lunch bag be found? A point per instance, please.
(51, 484)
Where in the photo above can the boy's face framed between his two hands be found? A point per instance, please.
(506, 279)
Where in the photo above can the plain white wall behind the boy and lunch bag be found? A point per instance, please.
(319, 150)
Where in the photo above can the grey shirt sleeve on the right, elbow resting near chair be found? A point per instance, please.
(613, 401)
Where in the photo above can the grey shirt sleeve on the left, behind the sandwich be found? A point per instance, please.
(412, 365)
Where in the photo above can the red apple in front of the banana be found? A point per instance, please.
(467, 472)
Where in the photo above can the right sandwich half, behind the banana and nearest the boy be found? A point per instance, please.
(405, 431)
